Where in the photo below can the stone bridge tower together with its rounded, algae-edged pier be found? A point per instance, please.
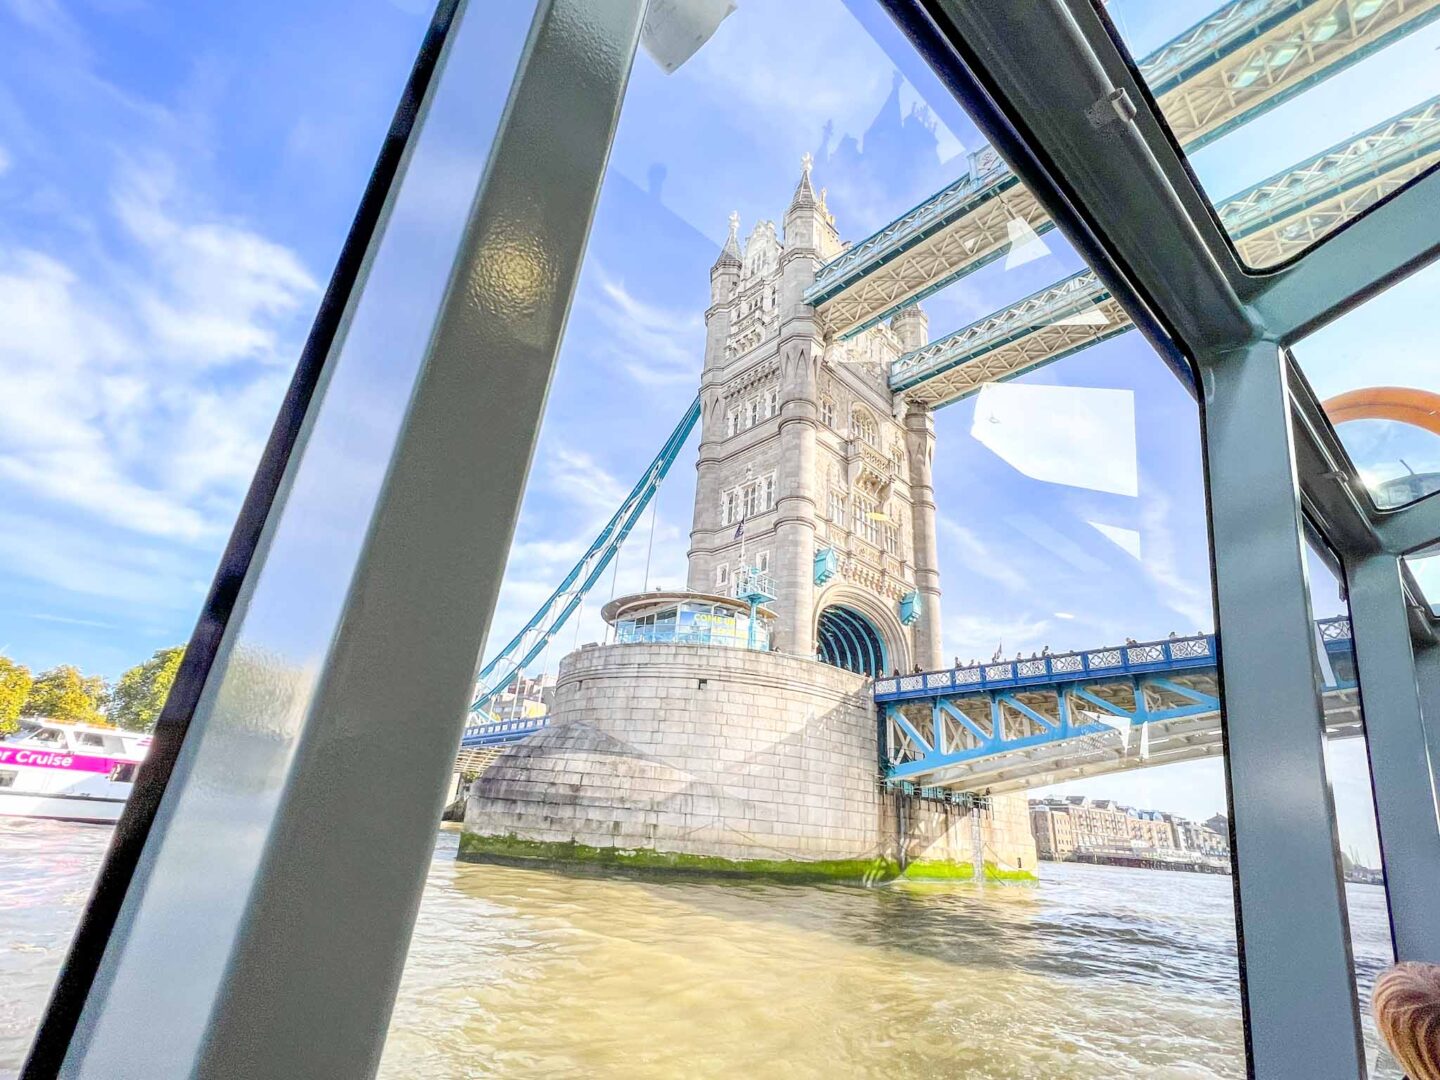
(669, 748)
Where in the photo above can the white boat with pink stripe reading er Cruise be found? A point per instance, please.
(68, 773)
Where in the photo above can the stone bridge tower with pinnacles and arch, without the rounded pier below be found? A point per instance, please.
(810, 470)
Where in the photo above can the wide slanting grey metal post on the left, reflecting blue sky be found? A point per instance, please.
(264, 930)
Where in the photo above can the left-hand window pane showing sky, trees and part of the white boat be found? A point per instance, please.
(169, 225)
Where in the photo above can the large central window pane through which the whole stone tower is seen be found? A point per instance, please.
(1071, 518)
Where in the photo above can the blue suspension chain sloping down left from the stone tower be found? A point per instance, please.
(489, 731)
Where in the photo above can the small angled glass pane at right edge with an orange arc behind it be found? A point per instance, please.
(1377, 374)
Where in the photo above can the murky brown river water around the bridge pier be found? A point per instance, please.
(1095, 973)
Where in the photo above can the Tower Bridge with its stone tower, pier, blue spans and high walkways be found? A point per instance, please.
(738, 722)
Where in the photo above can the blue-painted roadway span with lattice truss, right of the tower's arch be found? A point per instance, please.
(1023, 724)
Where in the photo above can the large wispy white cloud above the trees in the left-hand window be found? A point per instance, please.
(140, 392)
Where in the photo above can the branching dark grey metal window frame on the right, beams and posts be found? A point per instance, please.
(1035, 76)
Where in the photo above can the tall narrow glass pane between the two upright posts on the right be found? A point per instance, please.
(1347, 765)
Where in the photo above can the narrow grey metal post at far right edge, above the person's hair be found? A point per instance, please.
(1399, 757)
